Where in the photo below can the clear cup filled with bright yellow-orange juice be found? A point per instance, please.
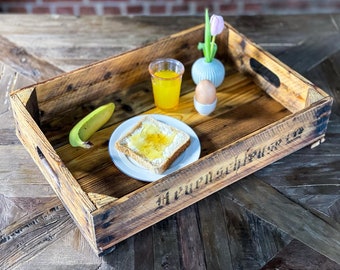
(166, 78)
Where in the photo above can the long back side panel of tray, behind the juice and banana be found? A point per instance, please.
(73, 89)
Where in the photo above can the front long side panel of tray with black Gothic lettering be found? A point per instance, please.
(154, 202)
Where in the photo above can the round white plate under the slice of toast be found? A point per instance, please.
(132, 169)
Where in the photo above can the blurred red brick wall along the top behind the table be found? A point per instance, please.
(169, 7)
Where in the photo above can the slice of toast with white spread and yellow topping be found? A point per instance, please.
(153, 144)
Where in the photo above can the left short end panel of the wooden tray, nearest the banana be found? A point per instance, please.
(65, 186)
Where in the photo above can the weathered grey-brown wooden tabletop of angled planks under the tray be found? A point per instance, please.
(285, 216)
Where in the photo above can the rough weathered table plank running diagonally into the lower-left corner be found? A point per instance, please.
(23, 238)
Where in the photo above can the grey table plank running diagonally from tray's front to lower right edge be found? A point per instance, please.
(301, 223)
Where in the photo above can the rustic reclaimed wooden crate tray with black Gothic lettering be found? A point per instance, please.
(265, 111)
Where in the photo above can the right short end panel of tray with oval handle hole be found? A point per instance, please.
(282, 83)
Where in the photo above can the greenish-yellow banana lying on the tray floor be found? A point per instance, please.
(80, 134)
